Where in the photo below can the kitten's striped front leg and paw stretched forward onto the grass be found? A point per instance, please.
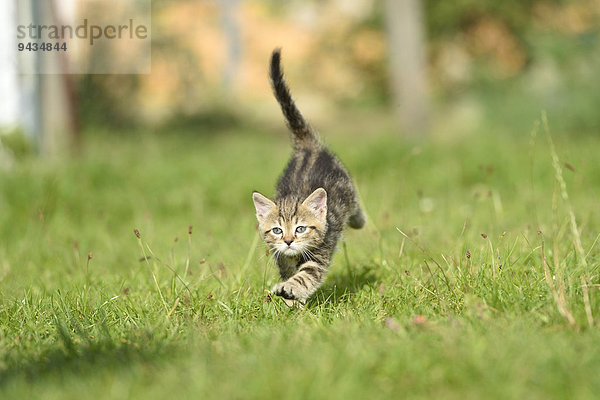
(303, 284)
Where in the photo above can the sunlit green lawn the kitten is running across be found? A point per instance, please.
(446, 293)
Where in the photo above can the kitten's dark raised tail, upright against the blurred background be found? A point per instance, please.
(303, 134)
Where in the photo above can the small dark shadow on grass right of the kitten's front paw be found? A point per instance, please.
(340, 285)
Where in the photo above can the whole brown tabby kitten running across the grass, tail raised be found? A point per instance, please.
(314, 199)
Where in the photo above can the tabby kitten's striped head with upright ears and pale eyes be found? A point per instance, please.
(291, 227)
